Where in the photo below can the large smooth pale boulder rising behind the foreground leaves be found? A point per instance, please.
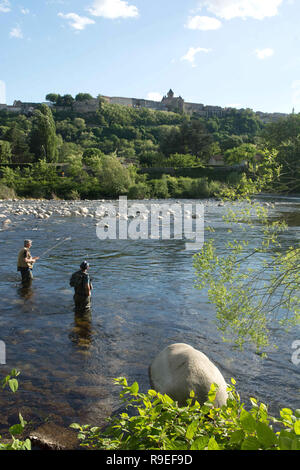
(179, 369)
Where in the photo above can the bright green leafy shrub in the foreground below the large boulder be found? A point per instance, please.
(158, 423)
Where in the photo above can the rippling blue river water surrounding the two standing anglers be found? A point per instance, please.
(143, 300)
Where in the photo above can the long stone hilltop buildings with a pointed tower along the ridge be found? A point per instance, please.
(169, 103)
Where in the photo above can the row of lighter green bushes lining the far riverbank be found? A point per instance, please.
(108, 178)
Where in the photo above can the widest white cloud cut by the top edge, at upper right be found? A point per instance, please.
(228, 9)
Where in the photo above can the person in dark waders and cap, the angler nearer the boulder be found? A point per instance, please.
(81, 282)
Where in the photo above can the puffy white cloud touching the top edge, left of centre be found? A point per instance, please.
(113, 9)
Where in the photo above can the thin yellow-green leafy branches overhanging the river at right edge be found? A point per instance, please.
(250, 297)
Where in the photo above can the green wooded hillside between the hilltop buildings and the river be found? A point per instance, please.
(138, 152)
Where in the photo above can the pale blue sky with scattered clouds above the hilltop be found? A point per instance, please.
(236, 53)
